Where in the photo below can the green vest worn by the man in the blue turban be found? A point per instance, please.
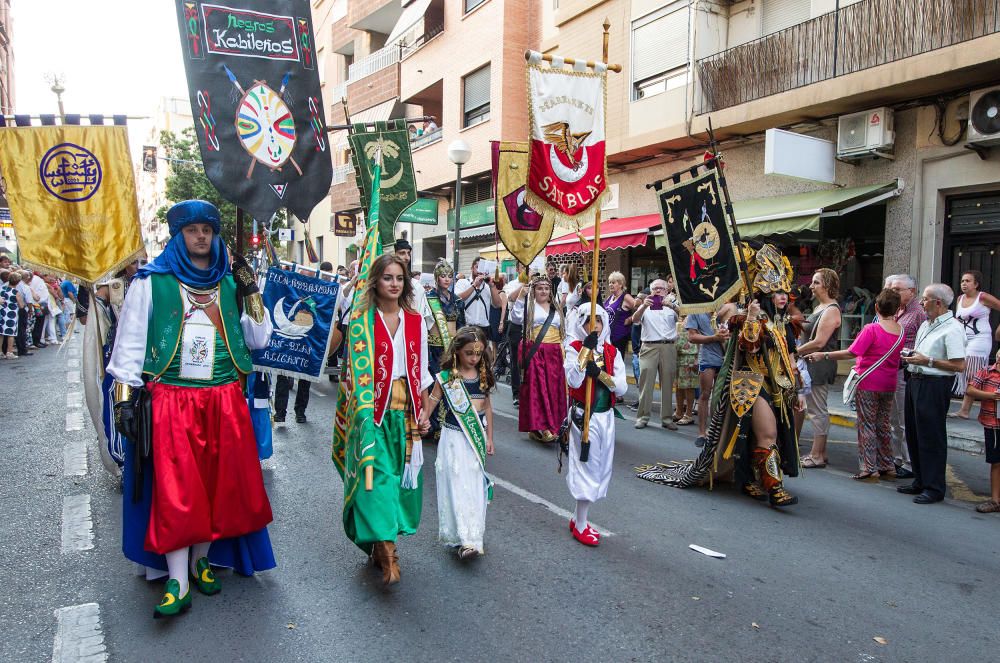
(167, 320)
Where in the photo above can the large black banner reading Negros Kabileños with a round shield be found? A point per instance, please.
(255, 97)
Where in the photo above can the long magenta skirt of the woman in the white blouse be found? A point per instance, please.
(543, 396)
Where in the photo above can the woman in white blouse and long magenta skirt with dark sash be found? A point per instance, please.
(542, 408)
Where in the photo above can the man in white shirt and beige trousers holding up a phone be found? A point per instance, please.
(658, 315)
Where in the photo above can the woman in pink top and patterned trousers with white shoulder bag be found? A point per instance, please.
(874, 396)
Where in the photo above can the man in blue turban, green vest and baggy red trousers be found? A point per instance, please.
(186, 329)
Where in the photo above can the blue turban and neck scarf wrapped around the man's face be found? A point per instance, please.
(175, 259)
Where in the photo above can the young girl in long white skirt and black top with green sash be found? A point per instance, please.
(463, 487)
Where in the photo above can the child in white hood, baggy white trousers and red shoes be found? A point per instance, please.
(590, 354)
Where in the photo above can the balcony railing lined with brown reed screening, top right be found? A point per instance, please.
(857, 37)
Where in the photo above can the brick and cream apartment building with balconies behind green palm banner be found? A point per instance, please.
(460, 62)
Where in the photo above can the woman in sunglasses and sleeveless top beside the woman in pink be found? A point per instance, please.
(821, 335)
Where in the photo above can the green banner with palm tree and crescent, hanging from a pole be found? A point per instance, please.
(398, 188)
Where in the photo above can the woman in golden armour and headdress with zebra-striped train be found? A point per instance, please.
(752, 437)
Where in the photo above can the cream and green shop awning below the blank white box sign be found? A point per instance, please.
(803, 211)
